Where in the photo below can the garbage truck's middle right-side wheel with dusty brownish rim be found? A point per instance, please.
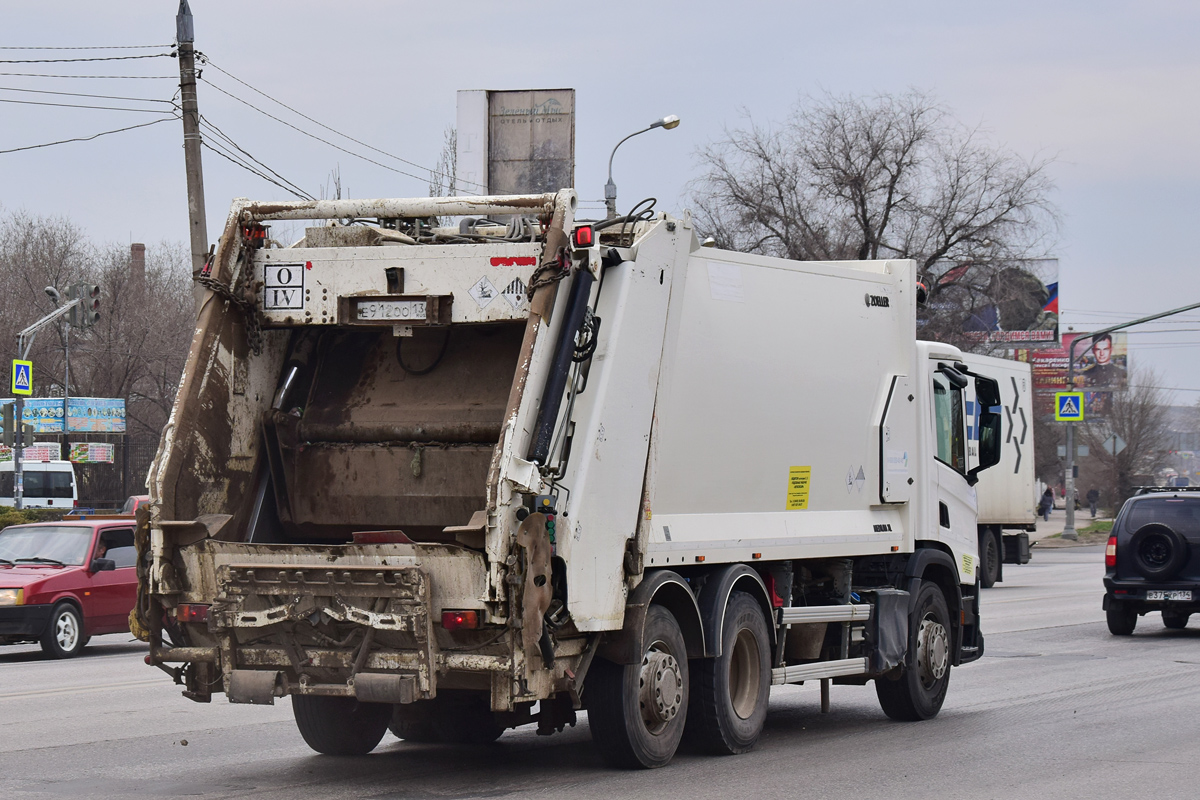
(729, 694)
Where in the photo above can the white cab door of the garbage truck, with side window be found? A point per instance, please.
(957, 503)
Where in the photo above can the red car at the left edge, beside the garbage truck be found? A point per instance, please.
(64, 582)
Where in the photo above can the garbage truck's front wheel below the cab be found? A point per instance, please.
(920, 691)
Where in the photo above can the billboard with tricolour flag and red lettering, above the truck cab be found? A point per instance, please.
(1016, 303)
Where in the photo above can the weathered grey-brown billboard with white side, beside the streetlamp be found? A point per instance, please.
(515, 142)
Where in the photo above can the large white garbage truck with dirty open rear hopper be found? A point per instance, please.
(454, 480)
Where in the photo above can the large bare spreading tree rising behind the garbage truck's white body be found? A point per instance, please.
(879, 178)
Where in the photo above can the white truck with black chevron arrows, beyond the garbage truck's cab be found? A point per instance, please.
(1007, 495)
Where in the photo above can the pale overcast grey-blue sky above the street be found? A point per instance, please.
(1109, 91)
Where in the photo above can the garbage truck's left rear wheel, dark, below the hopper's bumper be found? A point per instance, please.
(340, 726)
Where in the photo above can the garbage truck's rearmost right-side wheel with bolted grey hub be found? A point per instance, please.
(638, 712)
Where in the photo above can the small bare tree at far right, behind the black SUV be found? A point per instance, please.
(1139, 417)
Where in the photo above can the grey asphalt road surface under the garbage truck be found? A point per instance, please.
(1057, 708)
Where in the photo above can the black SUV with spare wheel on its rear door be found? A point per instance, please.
(1154, 560)
